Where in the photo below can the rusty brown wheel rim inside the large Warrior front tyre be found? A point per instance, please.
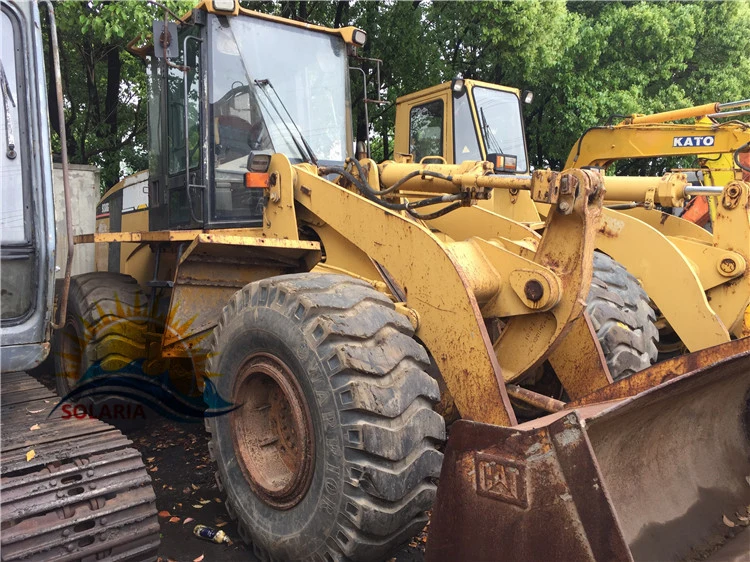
(272, 431)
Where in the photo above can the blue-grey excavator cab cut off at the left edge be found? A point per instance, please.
(27, 222)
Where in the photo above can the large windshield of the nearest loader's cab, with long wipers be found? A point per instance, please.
(274, 88)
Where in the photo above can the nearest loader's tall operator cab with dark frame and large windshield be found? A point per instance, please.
(243, 86)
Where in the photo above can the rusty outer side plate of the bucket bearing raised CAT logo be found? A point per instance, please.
(506, 494)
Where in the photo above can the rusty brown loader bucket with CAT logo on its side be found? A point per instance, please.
(648, 477)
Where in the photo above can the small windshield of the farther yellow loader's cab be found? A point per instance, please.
(500, 123)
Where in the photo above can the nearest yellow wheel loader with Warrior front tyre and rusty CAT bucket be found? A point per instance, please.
(342, 306)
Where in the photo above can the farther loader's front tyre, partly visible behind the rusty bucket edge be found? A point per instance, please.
(622, 317)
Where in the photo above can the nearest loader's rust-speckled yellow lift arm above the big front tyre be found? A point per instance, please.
(451, 325)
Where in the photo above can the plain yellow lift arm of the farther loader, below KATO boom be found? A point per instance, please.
(683, 302)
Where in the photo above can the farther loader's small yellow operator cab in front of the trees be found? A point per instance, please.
(463, 120)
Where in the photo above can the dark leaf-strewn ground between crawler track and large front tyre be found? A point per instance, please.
(176, 456)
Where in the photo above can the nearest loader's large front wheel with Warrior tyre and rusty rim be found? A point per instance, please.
(331, 452)
